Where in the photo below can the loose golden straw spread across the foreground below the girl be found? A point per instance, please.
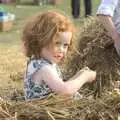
(61, 107)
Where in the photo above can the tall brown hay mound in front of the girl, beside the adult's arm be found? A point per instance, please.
(95, 50)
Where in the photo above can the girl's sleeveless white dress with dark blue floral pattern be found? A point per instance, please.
(33, 90)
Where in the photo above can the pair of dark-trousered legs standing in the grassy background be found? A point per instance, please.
(75, 5)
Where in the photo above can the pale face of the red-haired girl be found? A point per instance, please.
(57, 50)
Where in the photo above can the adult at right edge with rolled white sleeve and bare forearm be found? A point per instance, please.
(109, 14)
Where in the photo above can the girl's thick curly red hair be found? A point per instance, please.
(41, 29)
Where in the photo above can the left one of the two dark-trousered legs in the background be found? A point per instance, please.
(75, 5)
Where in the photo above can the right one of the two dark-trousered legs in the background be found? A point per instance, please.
(88, 7)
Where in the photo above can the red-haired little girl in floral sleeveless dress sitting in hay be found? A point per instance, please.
(47, 37)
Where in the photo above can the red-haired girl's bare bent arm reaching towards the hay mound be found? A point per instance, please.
(58, 85)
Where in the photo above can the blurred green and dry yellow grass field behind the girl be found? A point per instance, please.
(12, 60)
